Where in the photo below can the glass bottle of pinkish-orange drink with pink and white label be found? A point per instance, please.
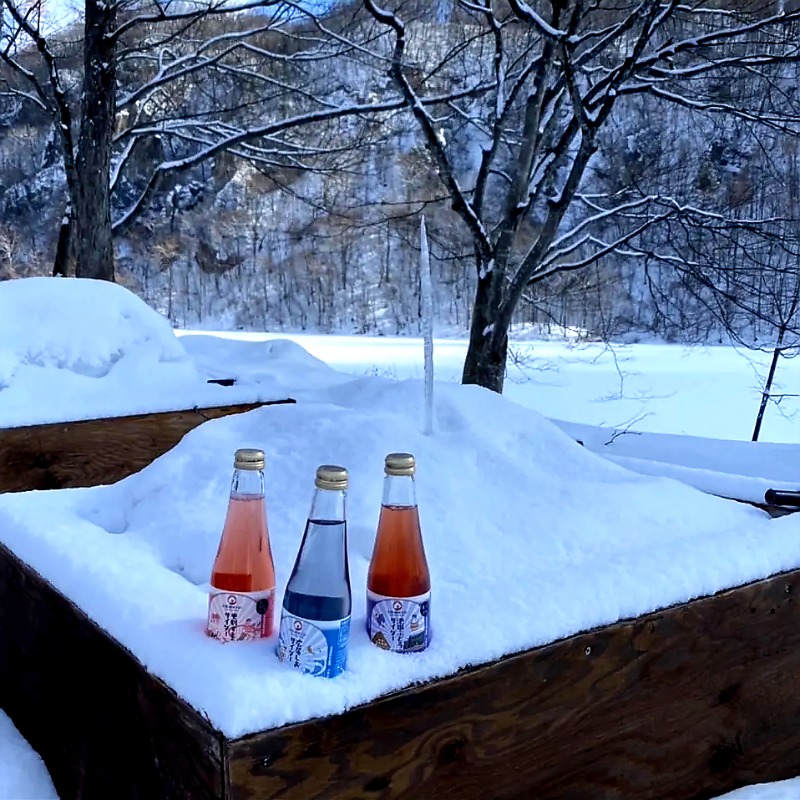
(241, 601)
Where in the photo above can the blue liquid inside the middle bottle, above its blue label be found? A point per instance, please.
(319, 586)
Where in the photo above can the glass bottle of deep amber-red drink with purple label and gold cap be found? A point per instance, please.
(398, 581)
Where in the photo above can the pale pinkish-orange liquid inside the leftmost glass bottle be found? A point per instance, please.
(244, 558)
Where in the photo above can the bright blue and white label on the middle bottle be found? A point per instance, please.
(312, 646)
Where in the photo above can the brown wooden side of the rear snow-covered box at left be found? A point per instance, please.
(97, 451)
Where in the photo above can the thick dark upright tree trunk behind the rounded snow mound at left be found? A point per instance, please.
(92, 236)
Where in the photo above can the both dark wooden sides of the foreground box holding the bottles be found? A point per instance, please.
(685, 703)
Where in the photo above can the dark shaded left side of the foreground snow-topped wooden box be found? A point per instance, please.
(106, 728)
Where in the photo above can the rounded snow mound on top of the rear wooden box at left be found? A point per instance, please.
(75, 349)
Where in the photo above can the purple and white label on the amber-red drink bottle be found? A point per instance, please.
(399, 624)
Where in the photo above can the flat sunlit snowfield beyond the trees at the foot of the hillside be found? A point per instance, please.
(703, 391)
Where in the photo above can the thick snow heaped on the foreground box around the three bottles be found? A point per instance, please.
(530, 537)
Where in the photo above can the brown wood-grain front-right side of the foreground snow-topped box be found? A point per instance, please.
(688, 702)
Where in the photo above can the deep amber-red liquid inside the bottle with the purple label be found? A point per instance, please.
(399, 567)
